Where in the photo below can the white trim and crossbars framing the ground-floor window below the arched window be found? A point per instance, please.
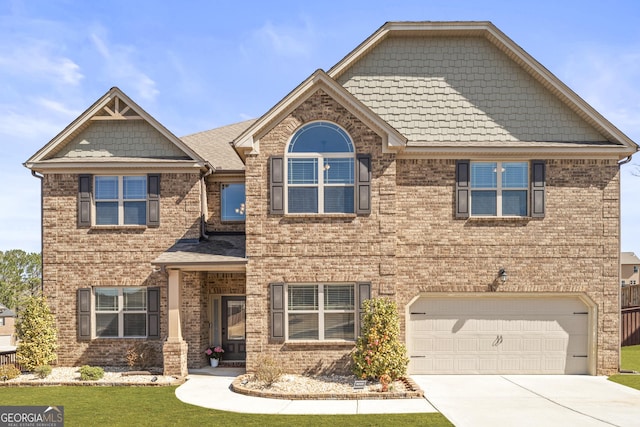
(321, 311)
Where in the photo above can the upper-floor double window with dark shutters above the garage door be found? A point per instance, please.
(499, 188)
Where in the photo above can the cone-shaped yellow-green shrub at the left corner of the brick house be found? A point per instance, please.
(36, 331)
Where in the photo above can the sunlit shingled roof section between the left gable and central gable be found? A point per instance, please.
(215, 145)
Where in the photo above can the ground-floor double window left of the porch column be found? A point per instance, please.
(120, 312)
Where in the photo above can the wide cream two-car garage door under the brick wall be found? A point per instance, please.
(498, 335)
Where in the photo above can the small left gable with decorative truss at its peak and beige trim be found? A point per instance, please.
(115, 108)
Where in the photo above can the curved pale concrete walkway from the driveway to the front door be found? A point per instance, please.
(209, 388)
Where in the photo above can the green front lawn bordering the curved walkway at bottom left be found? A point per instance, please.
(158, 406)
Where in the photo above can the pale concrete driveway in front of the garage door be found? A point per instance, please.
(531, 400)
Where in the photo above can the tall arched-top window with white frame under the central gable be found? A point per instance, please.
(320, 164)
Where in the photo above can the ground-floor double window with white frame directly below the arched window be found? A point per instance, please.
(321, 311)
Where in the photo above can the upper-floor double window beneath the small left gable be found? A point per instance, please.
(120, 200)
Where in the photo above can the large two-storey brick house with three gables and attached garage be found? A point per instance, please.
(437, 164)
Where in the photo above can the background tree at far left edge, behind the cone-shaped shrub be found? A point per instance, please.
(19, 276)
